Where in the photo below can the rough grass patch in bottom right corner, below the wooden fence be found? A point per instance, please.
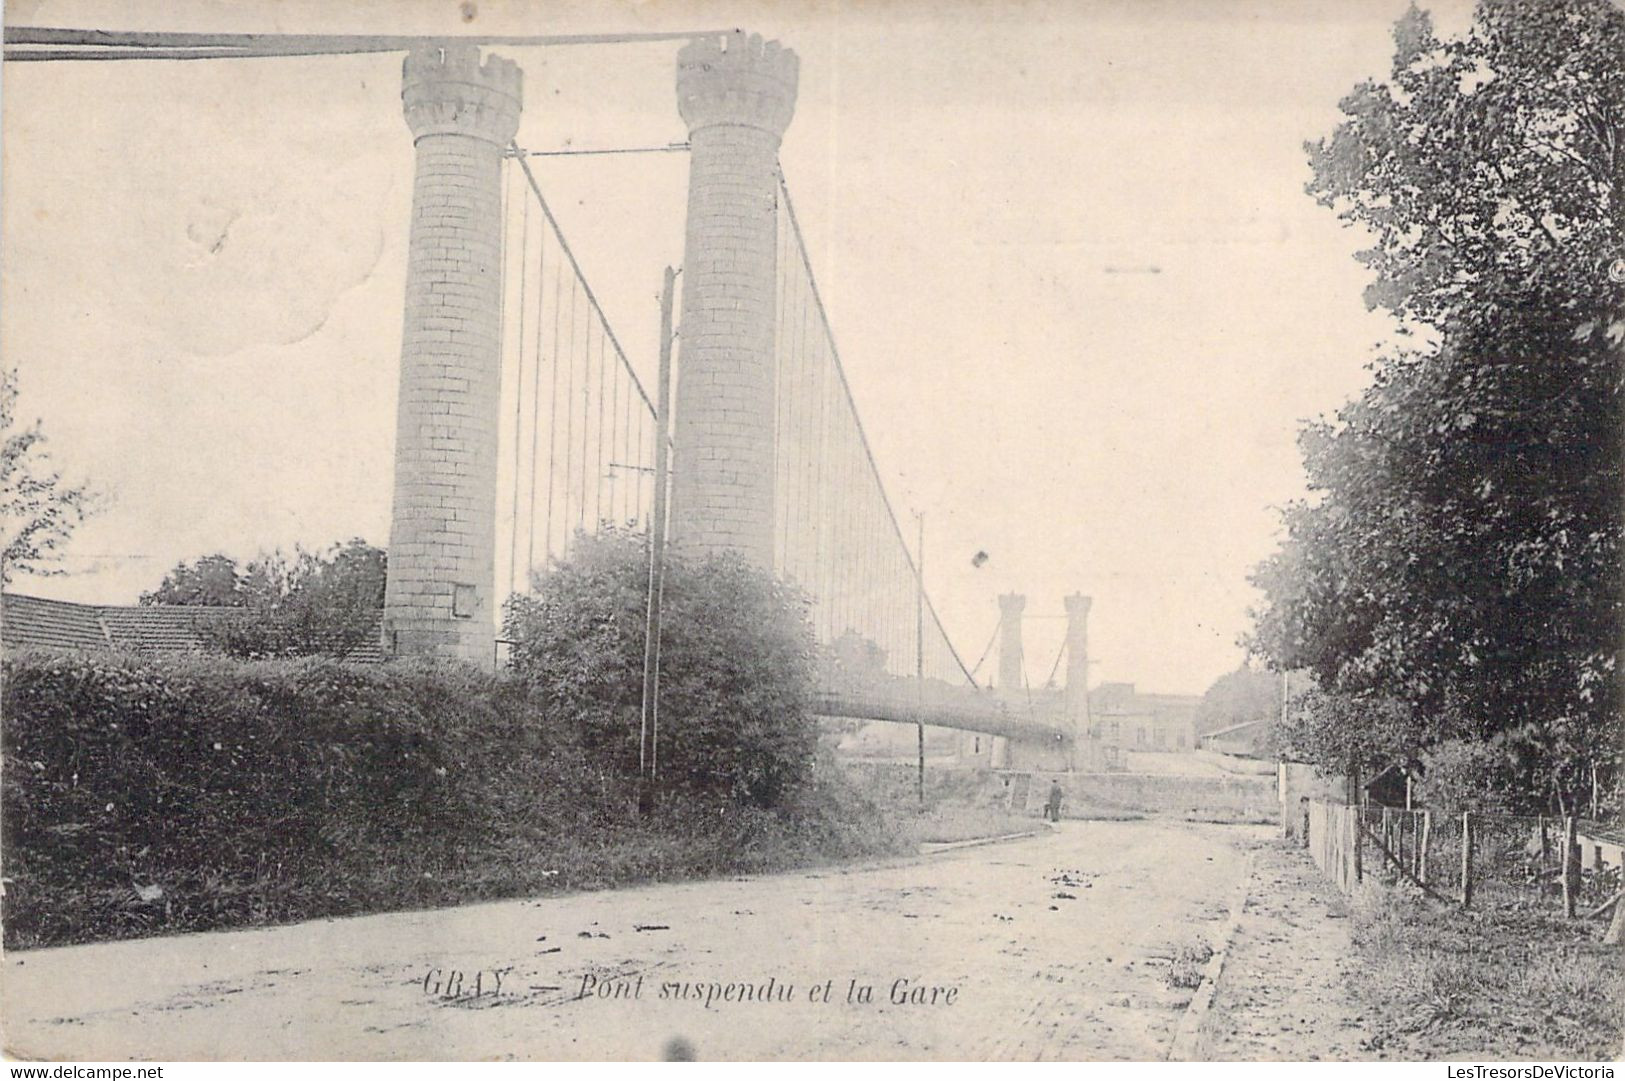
(1504, 983)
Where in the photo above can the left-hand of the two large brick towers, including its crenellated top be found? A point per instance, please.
(443, 534)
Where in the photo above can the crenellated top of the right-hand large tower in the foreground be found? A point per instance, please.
(737, 79)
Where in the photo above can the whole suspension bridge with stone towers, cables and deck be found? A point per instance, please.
(524, 425)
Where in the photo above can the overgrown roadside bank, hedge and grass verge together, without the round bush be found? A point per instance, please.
(152, 797)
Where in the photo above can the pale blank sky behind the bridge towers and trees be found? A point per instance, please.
(1080, 293)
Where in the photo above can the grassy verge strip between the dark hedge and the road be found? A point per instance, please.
(844, 817)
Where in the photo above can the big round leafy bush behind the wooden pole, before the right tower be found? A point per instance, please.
(737, 662)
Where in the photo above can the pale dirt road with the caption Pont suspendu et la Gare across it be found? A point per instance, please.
(1047, 949)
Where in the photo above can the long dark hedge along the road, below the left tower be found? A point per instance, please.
(171, 792)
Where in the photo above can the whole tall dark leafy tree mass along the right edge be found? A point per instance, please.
(1462, 558)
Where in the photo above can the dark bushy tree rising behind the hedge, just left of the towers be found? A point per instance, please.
(324, 602)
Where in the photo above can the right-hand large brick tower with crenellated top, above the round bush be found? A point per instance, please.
(737, 95)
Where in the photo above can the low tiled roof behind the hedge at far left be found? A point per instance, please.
(40, 623)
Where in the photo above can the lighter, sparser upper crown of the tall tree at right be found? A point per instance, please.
(1489, 168)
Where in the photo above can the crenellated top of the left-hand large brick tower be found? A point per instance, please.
(449, 92)
